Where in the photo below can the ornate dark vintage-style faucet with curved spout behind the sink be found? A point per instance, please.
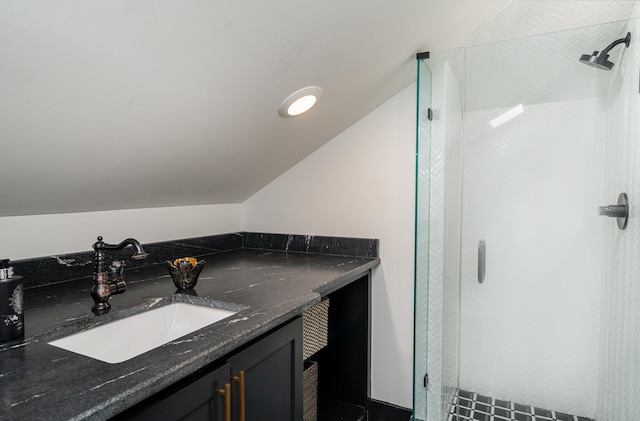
(103, 287)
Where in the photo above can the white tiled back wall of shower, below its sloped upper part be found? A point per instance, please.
(532, 186)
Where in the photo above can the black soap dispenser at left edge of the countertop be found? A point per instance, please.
(11, 314)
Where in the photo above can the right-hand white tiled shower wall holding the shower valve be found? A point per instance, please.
(620, 333)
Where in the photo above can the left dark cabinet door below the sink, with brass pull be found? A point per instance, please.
(197, 400)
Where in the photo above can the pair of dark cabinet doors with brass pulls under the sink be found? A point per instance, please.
(262, 381)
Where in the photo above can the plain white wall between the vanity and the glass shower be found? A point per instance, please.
(361, 184)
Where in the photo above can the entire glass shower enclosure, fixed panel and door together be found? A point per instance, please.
(525, 297)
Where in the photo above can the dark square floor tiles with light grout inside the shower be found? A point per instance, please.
(472, 406)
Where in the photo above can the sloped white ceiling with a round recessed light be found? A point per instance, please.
(120, 104)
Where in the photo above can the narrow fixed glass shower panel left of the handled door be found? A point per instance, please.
(438, 198)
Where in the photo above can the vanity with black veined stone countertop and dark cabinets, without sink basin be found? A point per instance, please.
(257, 350)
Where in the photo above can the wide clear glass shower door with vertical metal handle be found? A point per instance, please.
(534, 148)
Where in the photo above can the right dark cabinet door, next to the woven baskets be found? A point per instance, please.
(272, 376)
